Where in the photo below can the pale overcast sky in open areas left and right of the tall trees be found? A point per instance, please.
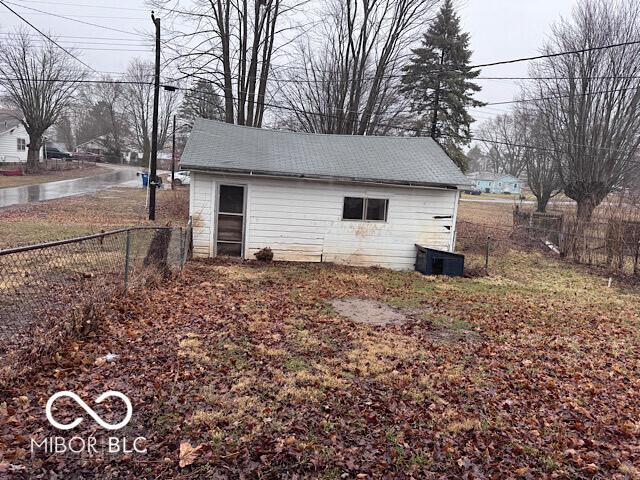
(500, 30)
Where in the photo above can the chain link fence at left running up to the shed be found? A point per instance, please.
(47, 286)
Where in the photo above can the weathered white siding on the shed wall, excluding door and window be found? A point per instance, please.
(302, 221)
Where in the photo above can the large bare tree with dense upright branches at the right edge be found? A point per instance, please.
(591, 100)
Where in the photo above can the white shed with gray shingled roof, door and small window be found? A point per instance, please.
(360, 200)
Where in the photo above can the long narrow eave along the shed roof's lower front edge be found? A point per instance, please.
(326, 178)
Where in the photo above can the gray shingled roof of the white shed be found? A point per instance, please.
(222, 147)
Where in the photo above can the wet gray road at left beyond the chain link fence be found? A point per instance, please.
(66, 188)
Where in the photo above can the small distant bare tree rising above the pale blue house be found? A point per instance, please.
(503, 144)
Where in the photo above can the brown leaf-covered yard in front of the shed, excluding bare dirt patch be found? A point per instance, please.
(245, 371)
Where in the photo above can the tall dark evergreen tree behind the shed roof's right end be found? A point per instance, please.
(437, 81)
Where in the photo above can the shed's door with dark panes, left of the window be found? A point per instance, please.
(230, 221)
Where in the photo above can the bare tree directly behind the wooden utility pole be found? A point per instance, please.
(139, 107)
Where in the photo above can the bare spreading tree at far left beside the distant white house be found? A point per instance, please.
(40, 81)
